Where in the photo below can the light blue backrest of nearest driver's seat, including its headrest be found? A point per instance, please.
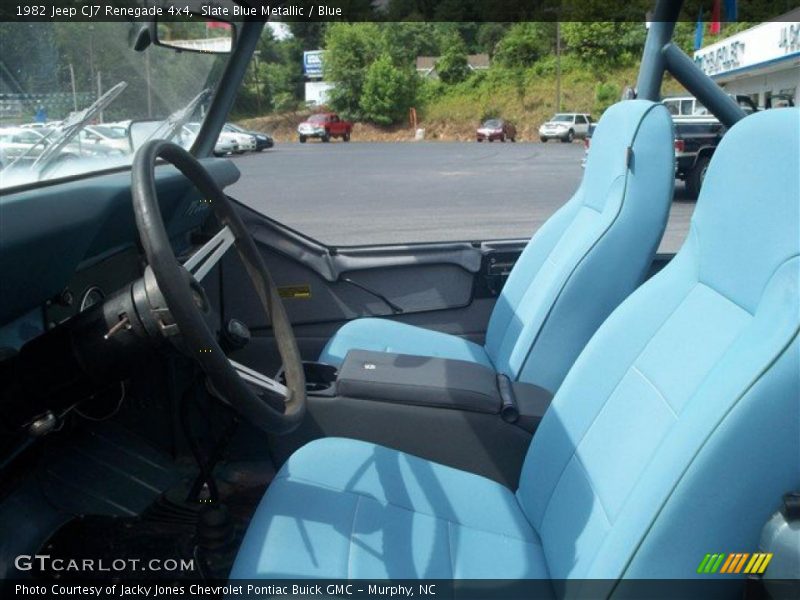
(678, 429)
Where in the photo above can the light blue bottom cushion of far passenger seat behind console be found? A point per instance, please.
(383, 335)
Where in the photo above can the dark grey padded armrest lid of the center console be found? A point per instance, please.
(419, 380)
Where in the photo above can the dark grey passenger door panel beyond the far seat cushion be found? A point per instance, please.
(448, 287)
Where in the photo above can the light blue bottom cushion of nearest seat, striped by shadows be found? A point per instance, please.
(342, 508)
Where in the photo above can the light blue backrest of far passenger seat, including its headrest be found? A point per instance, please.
(592, 253)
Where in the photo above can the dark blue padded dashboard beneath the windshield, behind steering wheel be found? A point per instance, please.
(65, 245)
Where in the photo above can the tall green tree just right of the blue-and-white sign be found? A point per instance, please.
(350, 48)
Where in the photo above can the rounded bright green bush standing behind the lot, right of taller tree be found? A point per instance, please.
(388, 92)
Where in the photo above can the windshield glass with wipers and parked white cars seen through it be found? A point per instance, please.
(76, 91)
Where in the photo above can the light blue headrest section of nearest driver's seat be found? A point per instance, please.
(747, 219)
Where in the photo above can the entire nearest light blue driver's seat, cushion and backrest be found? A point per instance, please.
(675, 433)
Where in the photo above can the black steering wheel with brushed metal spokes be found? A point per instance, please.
(178, 306)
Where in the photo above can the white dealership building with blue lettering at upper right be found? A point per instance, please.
(762, 62)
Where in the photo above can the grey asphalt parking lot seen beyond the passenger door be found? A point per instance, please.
(373, 193)
